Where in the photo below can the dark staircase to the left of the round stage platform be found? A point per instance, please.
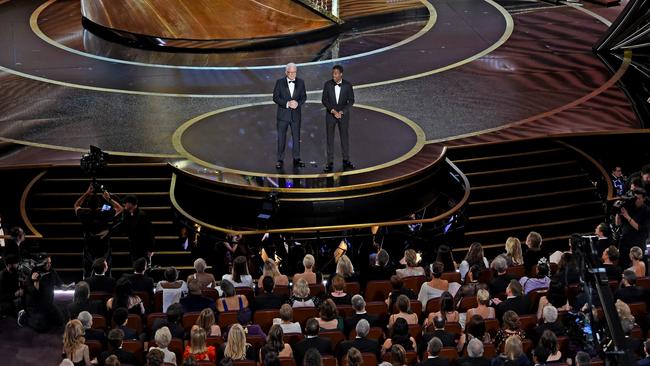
(49, 200)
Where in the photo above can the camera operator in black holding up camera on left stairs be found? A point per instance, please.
(96, 220)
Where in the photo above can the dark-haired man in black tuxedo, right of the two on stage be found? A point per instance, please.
(338, 97)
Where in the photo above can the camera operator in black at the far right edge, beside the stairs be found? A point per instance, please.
(633, 220)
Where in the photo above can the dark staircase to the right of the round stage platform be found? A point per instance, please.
(535, 185)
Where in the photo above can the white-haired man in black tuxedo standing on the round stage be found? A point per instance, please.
(289, 94)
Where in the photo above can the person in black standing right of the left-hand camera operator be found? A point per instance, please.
(136, 224)
